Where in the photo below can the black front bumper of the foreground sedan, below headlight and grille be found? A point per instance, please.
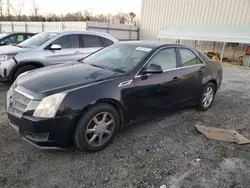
(44, 133)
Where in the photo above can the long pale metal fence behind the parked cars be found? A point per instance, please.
(120, 31)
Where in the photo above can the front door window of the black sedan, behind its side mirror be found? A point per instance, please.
(166, 58)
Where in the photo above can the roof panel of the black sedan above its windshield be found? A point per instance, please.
(152, 44)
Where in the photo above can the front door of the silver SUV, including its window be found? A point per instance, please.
(70, 51)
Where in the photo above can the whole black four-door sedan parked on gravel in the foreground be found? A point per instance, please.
(89, 101)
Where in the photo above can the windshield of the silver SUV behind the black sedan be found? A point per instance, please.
(37, 40)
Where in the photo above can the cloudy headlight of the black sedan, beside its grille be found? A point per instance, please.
(48, 107)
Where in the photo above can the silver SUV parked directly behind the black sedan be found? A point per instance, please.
(49, 48)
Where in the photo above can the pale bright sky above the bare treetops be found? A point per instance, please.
(95, 6)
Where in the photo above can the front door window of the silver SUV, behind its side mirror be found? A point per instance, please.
(68, 41)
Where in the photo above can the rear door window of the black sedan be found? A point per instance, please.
(189, 58)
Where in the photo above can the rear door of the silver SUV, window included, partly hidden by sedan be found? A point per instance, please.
(91, 43)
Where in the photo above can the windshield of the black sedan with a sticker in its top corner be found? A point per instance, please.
(120, 57)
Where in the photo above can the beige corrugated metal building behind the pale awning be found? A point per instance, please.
(157, 14)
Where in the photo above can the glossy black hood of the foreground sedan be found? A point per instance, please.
(58, 78)
